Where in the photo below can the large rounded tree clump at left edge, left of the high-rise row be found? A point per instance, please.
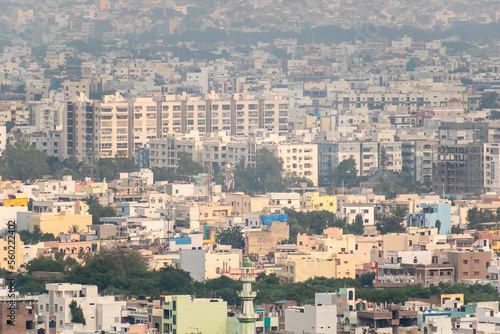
(23, 162)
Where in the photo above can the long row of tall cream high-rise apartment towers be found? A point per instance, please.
(116, 126)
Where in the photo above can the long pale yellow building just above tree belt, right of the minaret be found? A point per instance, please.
(301, 267)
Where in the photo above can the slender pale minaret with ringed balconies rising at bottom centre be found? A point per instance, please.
(247, 317)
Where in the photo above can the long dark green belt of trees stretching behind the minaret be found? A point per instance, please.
(125, 272)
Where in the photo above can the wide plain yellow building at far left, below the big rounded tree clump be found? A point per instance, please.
(62, 223)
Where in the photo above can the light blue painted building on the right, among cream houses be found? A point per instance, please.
(429, 215)
